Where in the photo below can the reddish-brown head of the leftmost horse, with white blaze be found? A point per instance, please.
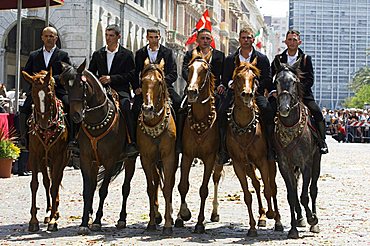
(43, 96)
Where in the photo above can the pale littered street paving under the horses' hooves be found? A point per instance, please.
(343, 209)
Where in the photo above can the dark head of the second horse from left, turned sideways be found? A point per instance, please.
(75, 83)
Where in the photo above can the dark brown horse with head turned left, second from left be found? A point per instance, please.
(101, 140)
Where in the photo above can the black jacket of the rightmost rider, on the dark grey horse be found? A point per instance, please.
(305, 66)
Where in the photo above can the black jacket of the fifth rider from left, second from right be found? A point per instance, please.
(263, 64)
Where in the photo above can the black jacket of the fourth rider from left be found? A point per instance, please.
(217, 64)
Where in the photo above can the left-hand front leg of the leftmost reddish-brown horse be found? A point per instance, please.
(33, 225)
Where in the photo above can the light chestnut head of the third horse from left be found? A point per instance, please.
(154, 89)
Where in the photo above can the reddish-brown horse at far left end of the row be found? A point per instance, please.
(48, 139)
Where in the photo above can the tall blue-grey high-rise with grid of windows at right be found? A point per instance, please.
(336, 34)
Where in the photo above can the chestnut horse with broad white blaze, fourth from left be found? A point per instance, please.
(201, 137)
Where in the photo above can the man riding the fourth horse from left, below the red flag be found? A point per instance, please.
(204, 40)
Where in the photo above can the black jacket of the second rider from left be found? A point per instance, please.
(121, 72)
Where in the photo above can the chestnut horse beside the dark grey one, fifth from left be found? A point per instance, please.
(247, 146)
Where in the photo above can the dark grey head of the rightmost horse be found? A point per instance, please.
(288, 86)
